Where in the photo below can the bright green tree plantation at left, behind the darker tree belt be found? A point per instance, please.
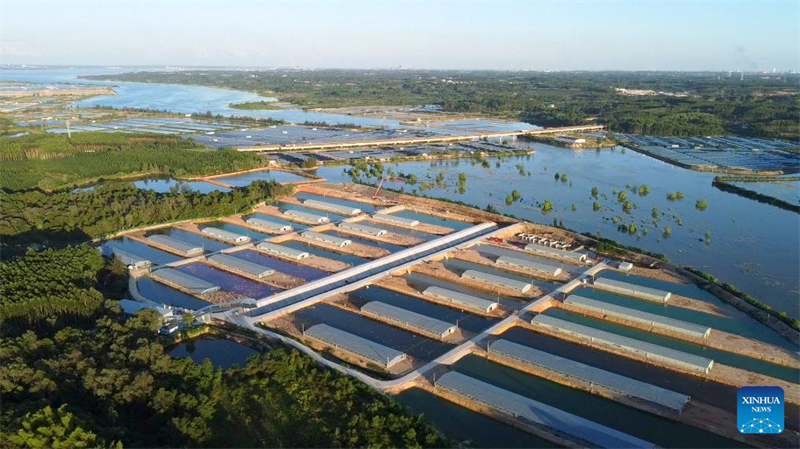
(52, 161)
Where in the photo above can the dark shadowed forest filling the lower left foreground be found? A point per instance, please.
(109, 382)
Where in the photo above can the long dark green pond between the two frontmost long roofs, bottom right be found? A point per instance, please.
(661, 431)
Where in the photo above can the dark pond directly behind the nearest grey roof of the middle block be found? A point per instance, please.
(412, 344)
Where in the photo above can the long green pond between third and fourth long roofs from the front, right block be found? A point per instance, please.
(727, 358)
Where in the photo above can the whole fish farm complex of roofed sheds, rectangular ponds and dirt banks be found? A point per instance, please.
(404, 293)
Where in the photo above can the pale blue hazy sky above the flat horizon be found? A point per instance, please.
(502, 35)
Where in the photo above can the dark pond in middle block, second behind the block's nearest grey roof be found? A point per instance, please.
(465, 320)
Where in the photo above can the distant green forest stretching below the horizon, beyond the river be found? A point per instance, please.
(681, 104)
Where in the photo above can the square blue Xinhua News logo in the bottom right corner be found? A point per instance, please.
(760, 410)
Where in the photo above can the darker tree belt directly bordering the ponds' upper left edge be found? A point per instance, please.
(35, 217)
